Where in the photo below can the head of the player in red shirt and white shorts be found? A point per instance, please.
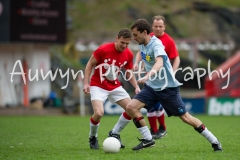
(123, 39)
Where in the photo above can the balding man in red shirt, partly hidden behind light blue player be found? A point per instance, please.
(157, 113)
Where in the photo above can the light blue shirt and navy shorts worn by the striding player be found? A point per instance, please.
(164, 87)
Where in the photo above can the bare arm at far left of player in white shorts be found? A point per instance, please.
(88, 70)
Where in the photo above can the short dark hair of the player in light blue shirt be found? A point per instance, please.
(142, 24)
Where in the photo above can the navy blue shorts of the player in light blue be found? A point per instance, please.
(169, 99)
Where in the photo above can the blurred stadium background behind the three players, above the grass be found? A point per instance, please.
(47, 42)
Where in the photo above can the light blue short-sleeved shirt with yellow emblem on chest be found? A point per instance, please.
(165, 76)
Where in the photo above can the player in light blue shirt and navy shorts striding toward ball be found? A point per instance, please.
(160, 86)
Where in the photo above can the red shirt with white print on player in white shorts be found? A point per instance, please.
(110, 59)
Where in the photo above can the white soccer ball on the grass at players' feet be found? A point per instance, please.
(111, 145)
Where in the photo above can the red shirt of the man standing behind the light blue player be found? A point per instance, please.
(170, 47)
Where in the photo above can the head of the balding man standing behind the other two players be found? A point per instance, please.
(158, 25)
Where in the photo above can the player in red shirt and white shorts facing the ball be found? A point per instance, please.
(107, 61)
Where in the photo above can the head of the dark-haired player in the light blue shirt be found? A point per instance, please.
(141, 29)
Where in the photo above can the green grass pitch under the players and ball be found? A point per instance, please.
(66, 137)
